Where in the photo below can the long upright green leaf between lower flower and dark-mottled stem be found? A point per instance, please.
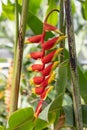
(60, 88)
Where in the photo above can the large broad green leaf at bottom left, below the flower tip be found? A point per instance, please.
(21, 120)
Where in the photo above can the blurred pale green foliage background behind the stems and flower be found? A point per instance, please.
(36, 14)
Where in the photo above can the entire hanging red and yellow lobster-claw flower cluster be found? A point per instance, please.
(47, 65)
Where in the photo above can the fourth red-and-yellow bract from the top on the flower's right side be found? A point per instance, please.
(46, 71)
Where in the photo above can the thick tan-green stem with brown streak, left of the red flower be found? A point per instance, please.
(18, 63)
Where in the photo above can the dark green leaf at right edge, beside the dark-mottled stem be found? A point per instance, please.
(82, 84)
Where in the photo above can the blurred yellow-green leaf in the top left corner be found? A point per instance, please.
(8, 11)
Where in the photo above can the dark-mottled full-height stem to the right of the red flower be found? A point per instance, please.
(73, 66)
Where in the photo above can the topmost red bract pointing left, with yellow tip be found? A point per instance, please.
(33, 39)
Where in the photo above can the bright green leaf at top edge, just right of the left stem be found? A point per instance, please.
(34, 6)
